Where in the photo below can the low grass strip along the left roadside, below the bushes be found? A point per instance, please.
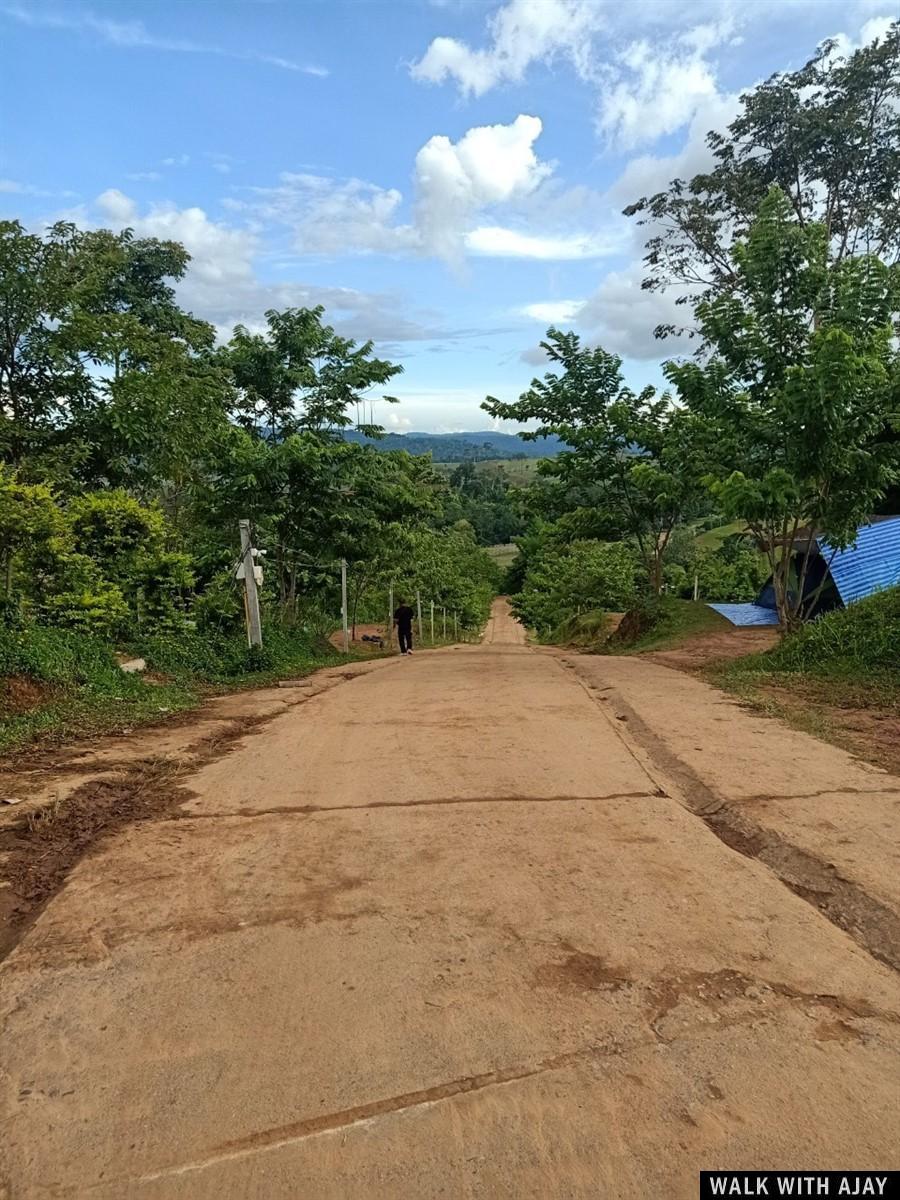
(80, 691)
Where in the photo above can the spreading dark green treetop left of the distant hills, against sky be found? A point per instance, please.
(301, 376)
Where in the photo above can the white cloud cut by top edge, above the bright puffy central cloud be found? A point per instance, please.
(521, 33)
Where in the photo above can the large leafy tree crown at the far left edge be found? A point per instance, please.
(104, 379)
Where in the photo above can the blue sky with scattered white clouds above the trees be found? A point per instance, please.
(447, 178)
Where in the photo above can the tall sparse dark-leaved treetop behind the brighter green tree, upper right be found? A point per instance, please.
(827, 135)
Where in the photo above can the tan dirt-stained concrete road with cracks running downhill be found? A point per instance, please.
(451, 929)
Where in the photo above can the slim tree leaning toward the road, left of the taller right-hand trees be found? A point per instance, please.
(627, 447)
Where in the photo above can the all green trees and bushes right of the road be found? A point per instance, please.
(783, 425)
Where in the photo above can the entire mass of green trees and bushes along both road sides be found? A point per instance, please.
(131, 442)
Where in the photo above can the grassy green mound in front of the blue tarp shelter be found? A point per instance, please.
(866, 635)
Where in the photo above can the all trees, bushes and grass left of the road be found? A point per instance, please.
(131, 445)
